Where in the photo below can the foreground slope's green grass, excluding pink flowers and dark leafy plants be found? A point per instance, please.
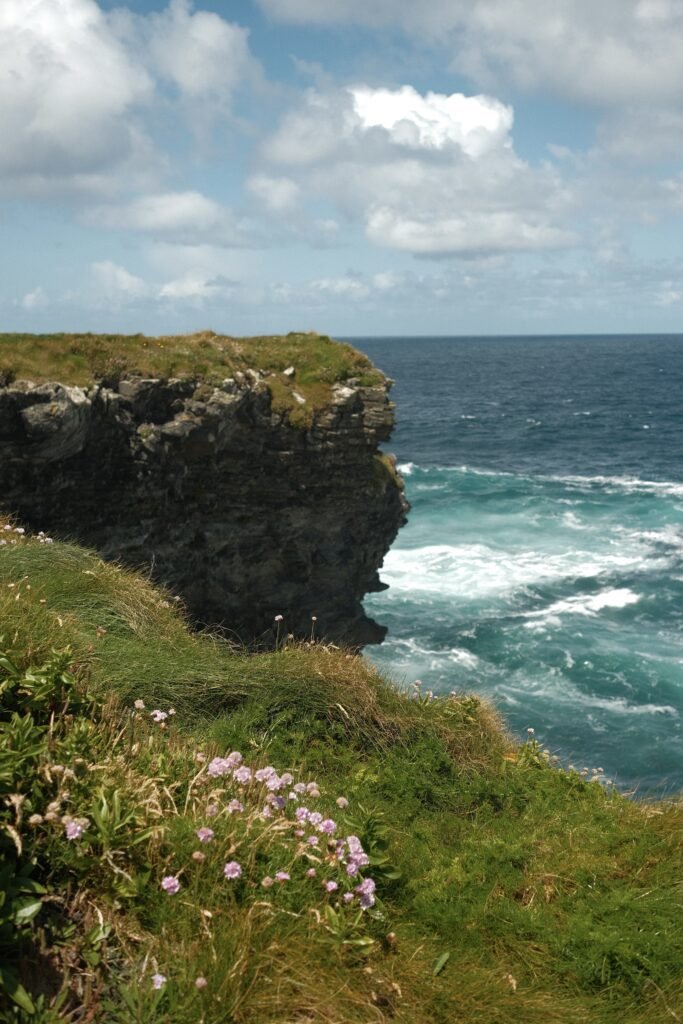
(556, 901)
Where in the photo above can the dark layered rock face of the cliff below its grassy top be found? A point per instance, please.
(238, 511)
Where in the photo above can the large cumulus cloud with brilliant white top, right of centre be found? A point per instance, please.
(429, 175)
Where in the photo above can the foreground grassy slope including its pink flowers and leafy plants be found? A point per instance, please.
(397, 859)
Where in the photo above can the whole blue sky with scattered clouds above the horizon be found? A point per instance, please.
(355, 167)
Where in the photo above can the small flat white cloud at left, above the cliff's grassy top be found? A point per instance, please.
(188, 217)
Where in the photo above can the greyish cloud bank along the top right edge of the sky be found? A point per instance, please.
(604, 54)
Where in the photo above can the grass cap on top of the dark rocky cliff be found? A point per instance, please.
(87, 359)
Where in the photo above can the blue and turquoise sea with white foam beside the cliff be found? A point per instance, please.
(543, 562)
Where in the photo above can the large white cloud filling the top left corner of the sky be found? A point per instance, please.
(67, 91)
